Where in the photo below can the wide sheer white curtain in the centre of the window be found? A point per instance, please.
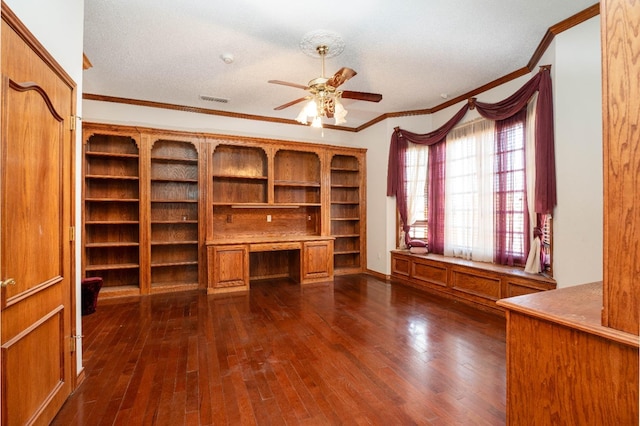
(469, 191)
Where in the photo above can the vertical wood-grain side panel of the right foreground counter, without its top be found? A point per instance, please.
(563, 376)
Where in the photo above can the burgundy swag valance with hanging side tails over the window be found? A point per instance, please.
(545, 188)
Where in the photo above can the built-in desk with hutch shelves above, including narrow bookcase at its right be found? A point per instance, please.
(279, 210)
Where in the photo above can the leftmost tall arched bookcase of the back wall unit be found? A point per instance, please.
(112, 212)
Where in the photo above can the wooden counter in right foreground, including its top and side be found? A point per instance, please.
(563, 366)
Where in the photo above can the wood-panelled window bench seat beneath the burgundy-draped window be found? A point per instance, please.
(476, 283)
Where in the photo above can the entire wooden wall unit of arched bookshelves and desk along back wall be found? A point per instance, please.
(156, 201)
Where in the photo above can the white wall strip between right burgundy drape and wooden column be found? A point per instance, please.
(578, 219)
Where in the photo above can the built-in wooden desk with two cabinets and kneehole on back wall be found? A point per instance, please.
(233, 263)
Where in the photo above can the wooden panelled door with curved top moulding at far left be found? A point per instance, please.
(35, 222)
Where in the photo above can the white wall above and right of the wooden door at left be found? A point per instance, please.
(58, 25)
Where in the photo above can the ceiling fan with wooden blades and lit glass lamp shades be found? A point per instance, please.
(324, 98)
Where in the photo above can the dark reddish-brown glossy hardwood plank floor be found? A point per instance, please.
(357, 351)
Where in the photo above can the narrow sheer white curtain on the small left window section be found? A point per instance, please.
(416, 164)
